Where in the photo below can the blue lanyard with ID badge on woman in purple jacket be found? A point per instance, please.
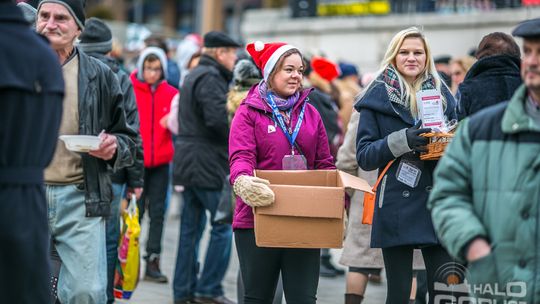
(292, 161)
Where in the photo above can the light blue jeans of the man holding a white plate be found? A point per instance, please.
(80, 242)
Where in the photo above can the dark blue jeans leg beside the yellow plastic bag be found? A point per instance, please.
(112, 235)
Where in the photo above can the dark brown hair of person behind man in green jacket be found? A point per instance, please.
(497, 43)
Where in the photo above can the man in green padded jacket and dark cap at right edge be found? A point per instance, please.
(486, 197)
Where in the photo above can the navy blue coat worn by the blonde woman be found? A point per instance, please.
(401, 216)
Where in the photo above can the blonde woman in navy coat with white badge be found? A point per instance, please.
(389, 130)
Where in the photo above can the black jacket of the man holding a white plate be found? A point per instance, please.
(101, 107)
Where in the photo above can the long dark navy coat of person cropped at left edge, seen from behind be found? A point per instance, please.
(31, 94)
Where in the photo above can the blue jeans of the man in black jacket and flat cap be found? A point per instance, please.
(187, 283)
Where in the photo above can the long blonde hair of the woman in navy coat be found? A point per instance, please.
(408, 90)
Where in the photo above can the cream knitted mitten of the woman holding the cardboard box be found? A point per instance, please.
(254, 191)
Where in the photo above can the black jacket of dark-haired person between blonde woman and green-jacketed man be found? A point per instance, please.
(490, 80)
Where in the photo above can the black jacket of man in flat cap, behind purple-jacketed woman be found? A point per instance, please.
(201, 156)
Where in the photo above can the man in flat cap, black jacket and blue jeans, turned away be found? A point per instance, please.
(201, 165)
